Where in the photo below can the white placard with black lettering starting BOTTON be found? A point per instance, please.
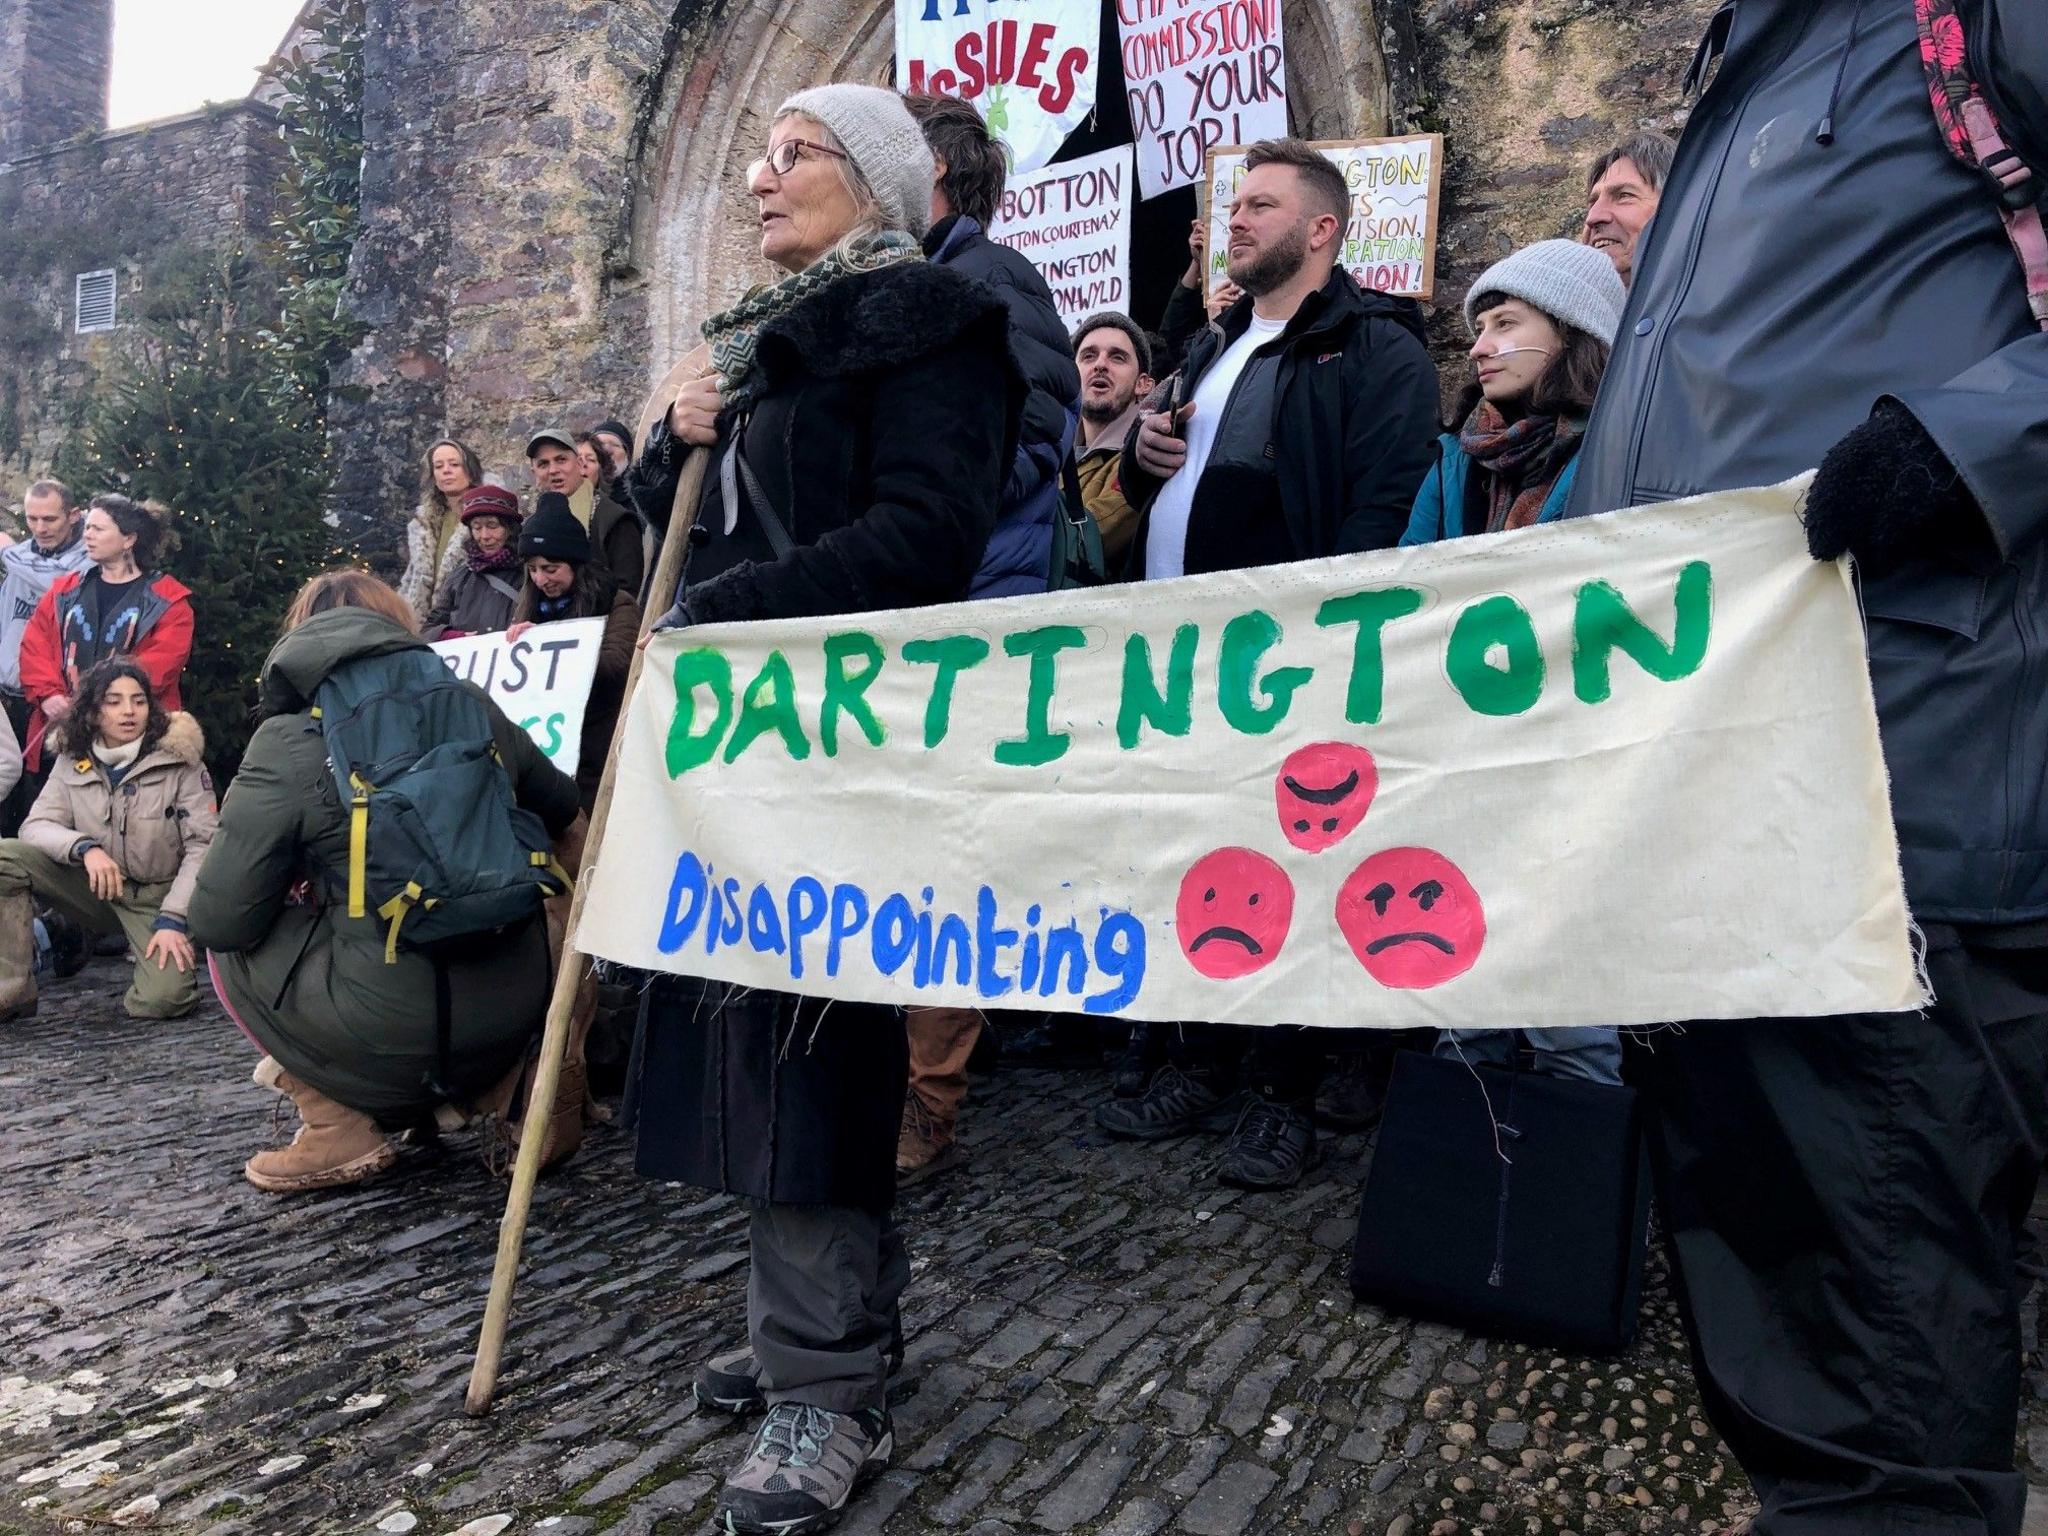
(1074, 224)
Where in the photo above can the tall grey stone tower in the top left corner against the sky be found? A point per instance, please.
(54, 58)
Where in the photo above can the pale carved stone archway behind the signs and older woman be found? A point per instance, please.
(695, 237)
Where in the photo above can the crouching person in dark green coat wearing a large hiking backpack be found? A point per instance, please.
(378, 988)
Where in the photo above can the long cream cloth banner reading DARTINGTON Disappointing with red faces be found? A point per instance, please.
(1615, 771)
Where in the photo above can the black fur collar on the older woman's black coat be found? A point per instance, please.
(878, 321)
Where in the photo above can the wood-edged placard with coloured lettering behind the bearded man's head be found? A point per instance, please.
(1396, 191)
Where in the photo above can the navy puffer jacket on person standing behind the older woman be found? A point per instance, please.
(1021, 550)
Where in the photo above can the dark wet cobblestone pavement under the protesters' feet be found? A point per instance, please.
(1103, 1338)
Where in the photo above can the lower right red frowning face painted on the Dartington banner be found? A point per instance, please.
(1412, 919)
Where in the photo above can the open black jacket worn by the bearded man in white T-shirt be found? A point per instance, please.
(1353, 435)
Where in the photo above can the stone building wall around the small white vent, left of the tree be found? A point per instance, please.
(112, 202)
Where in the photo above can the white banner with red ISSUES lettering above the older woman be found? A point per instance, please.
(1029, 67)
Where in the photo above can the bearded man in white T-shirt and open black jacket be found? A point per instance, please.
(1299, 427)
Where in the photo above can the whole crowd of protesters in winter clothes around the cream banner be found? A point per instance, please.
(1842, 1197)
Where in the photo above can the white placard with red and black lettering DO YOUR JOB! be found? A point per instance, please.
(1197, 75)
